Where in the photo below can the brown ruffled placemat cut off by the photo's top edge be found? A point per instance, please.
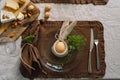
(95, 2)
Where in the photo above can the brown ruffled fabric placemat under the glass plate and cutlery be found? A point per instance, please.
(83, 27)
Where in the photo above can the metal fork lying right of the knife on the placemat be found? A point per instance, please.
(96, 42)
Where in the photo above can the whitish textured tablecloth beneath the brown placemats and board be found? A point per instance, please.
(108, 15)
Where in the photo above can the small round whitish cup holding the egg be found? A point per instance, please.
(60, 54)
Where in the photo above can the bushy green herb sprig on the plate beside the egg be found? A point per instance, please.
(74, 43)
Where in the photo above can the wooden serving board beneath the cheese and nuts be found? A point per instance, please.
(6, 30)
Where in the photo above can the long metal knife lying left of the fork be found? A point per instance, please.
(90, 50)
